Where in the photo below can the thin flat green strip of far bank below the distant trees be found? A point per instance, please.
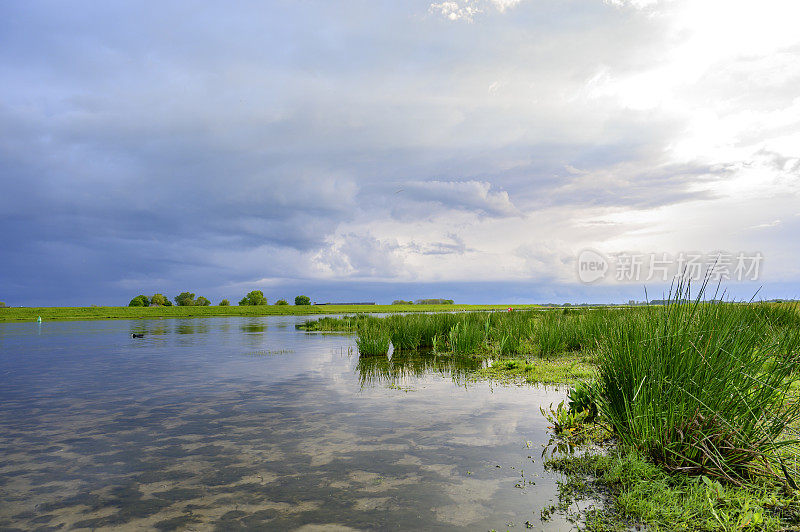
(114, 313)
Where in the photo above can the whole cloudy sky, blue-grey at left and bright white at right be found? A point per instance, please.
(372, 151)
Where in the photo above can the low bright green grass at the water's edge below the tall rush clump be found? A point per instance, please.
(638, 491)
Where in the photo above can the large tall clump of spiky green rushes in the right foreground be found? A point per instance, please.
(699, 387)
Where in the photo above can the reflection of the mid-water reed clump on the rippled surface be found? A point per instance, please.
(403, 366)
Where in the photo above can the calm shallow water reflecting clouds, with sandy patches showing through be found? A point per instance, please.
(246, 423)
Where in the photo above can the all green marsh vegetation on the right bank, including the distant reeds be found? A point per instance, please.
(688, 390)
